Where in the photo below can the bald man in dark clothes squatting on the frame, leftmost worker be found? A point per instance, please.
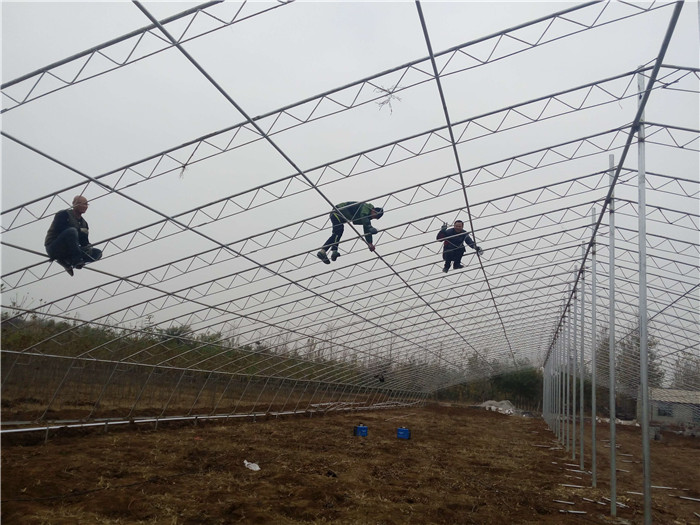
(67, 239)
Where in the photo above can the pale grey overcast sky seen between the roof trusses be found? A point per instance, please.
(278, 58)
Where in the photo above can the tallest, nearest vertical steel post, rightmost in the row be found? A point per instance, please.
(643, 347)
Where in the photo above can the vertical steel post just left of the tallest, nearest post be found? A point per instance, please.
(611, 344)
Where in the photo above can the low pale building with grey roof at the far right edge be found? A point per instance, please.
(673, 407)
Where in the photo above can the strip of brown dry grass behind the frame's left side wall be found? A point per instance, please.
(93, 391)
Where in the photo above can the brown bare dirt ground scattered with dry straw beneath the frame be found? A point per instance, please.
(461, 466)
